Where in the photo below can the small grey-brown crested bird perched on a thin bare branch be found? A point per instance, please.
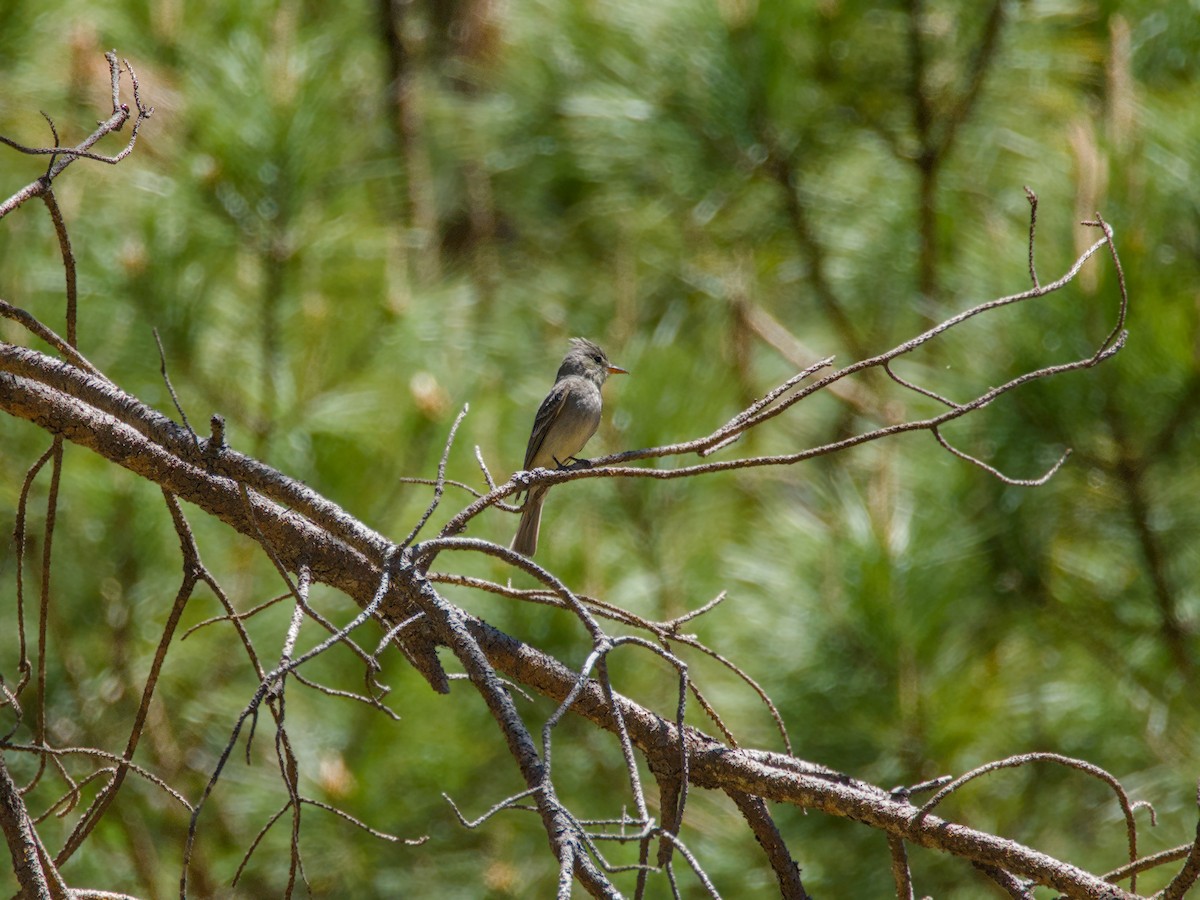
(566, 421)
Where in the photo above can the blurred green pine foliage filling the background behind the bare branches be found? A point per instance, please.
(339, 285)
